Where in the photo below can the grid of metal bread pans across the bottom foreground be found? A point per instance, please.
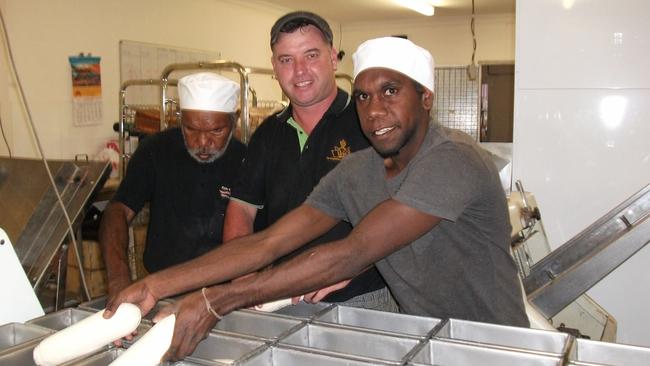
(324, 334)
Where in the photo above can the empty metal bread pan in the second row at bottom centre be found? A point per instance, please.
(344, 341)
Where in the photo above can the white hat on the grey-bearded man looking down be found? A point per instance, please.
(207, 91)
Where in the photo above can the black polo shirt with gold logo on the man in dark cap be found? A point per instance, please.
(277, 176)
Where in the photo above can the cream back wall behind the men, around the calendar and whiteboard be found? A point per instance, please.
(44, 33)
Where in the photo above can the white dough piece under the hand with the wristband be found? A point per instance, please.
(149, 349)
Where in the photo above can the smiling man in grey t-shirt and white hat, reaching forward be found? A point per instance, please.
(426, 204)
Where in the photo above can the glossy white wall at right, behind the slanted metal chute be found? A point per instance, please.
(580, 153)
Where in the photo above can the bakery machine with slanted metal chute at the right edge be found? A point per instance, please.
(555, 282)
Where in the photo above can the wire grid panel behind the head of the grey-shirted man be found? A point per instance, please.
(457, 99)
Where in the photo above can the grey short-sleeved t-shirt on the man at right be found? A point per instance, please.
(460, 269)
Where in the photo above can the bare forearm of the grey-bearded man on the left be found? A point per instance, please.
(113, 240)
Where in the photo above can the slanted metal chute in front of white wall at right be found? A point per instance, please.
(572, 269)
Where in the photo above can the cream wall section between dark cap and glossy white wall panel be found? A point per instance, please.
(448, 39)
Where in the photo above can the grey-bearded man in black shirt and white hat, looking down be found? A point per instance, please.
(185, 174)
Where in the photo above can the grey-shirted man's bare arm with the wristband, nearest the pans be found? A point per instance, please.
(386, 229)
